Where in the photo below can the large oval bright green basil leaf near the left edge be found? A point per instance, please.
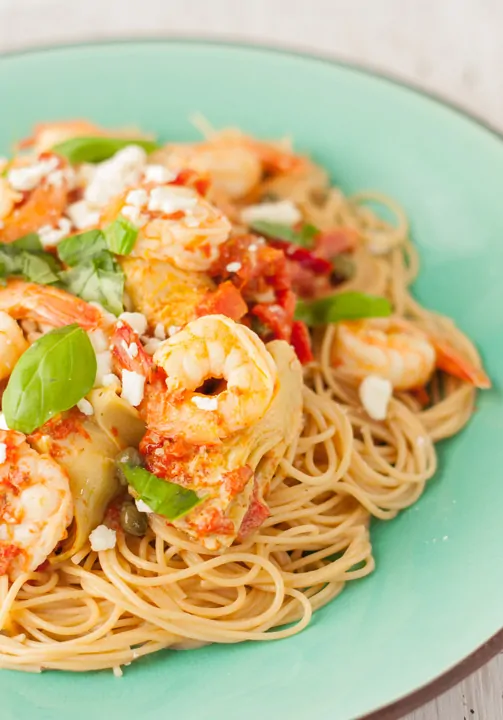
(50, 377)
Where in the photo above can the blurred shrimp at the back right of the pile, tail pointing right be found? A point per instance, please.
(234, 162)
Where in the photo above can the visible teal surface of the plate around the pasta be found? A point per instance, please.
(436, 593)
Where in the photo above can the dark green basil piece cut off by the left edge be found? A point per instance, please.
(26, 258)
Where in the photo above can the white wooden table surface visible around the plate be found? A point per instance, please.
(453, 47)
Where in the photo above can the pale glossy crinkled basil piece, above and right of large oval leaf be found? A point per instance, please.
(99, 280)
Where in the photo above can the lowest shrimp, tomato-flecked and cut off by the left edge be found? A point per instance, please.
(36, 505)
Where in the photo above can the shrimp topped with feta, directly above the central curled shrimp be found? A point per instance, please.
(176, 224)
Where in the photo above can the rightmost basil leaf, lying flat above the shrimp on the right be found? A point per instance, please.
(344, 306)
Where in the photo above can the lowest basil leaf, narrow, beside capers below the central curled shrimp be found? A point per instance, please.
(165, 498)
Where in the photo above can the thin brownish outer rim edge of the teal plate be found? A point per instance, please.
(485, 652)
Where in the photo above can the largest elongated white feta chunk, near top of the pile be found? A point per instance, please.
(113, 176)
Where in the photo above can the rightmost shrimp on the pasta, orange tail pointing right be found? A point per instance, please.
(394, 349)
